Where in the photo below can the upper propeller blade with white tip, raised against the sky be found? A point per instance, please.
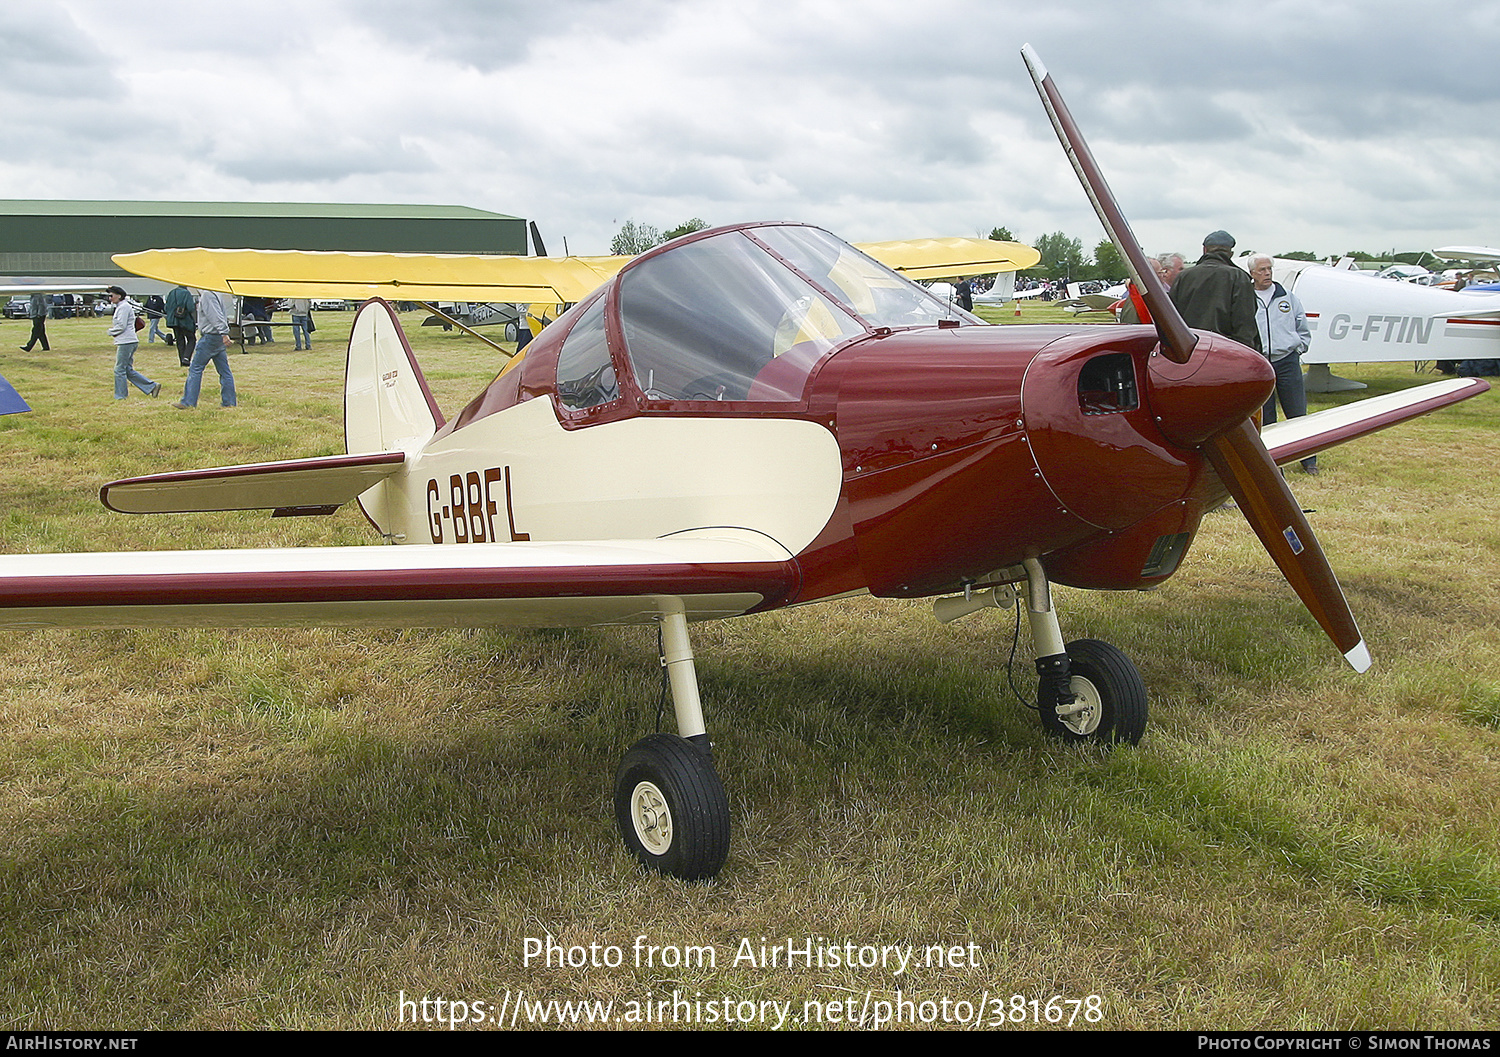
(1177, 340)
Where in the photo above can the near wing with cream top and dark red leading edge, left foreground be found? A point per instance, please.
(712, 573)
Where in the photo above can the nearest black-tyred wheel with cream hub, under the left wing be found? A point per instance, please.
(671, 809)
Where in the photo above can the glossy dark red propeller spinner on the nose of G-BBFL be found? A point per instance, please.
(1220, 386)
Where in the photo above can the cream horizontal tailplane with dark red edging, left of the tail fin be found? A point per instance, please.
(295, 487)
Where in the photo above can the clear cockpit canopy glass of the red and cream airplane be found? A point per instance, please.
(743, 314)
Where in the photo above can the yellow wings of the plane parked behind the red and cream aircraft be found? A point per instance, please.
(478, 278)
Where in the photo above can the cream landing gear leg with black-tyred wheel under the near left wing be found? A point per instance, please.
(670, 803)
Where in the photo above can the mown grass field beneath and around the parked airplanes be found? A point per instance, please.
(212, 830)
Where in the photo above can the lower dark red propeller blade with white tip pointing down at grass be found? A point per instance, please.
(1274, 514)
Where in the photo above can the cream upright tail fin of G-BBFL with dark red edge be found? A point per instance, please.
(388, 406)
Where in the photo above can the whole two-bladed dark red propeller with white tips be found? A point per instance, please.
(1235, 449)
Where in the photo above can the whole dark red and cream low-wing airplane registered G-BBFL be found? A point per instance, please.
(745, 419)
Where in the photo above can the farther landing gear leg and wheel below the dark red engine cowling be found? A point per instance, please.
(1088, 690)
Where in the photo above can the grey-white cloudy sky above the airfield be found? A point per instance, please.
(1322, 125)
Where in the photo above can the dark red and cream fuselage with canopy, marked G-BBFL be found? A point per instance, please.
(896, 460)
